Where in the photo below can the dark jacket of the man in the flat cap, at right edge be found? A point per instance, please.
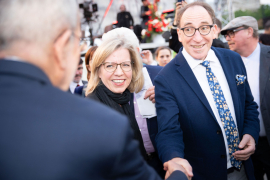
(265, 87)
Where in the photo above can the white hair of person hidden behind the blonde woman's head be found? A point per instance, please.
(122, 32)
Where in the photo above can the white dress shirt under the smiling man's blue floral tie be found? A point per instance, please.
(200, 74)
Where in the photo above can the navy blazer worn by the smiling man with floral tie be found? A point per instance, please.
(187, 124)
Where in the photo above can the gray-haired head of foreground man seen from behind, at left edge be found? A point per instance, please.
(43, 33)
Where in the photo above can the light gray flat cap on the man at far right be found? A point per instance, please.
(240, 21)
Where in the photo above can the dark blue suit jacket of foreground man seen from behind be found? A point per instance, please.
(51, 134)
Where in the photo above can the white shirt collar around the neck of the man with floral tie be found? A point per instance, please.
(193, 63)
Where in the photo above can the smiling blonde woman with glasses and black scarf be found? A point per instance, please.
(116, 72)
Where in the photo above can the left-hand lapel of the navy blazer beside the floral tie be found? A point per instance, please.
(186, 72)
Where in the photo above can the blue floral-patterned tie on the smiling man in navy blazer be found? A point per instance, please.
(224, 113)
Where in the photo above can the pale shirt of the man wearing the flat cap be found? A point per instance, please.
(252, 63)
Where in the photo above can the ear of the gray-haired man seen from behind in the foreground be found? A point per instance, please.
(59, 48)
